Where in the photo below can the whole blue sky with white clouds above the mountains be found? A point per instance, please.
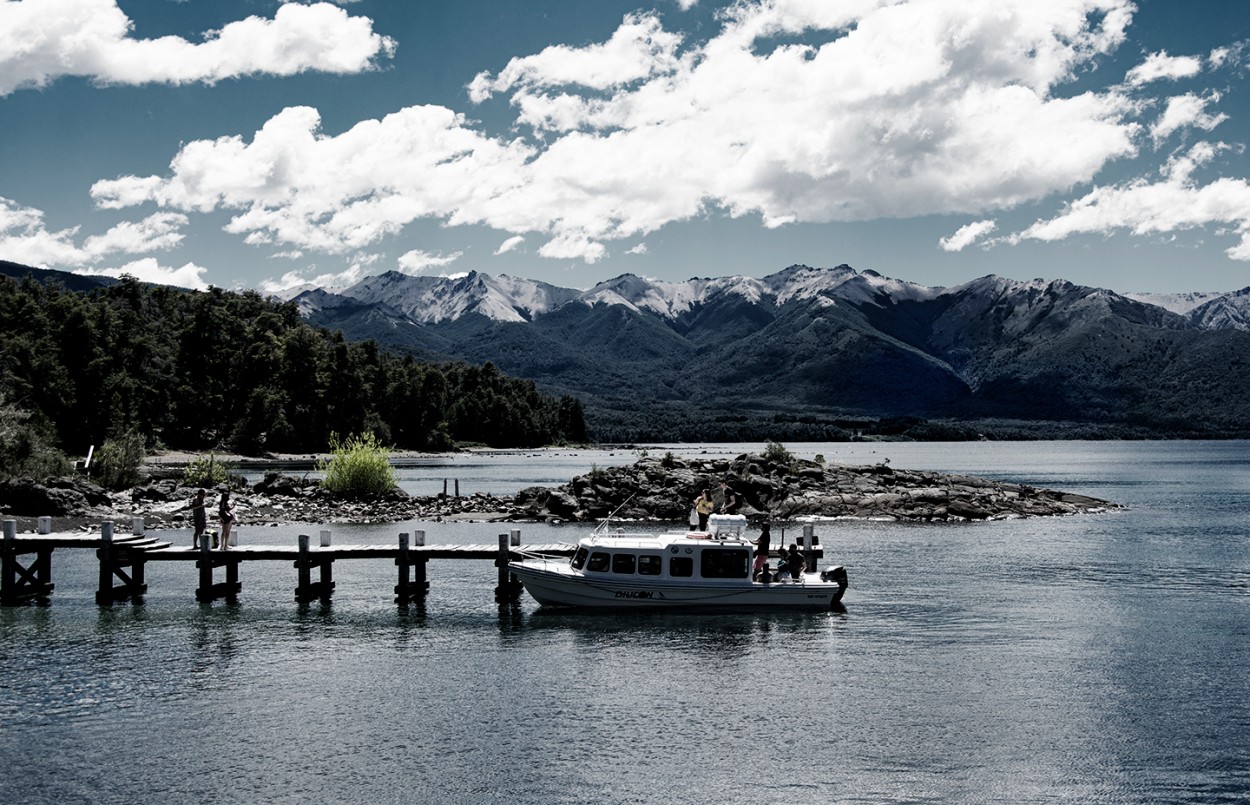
(257, 144)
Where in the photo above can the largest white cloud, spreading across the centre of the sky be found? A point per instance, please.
(791, 112)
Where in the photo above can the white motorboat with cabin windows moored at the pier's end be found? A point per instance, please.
(701, 569)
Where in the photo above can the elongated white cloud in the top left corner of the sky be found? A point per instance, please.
(42, 41)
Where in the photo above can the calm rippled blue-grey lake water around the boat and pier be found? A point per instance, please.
(1093, 659)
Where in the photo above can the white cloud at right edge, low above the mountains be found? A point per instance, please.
(1176, 203)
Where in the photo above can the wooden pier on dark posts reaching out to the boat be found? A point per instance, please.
(27, 563)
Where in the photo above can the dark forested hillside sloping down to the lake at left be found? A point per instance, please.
(224, 371)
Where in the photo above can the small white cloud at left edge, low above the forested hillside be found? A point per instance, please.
(26, 238)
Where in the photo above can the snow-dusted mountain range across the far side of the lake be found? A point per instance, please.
(829, 343)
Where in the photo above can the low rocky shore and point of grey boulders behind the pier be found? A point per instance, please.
(652, 489)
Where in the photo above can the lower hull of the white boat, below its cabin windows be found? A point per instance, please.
(554, 588)
